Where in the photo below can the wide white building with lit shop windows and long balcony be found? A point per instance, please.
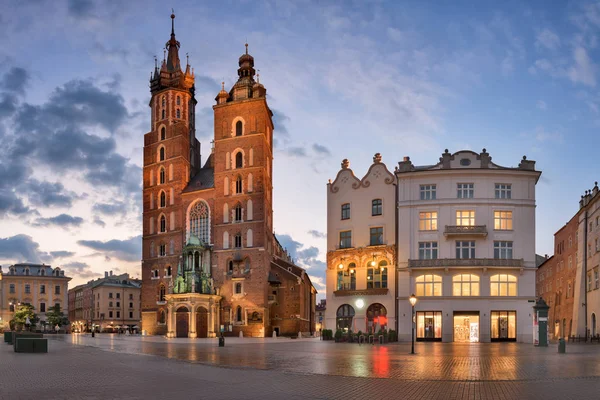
(466, 248)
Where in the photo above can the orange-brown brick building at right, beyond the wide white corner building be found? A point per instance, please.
(555, 280)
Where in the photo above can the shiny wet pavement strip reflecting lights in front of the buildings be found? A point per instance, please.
(433, 361)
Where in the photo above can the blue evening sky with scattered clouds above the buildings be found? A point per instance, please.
(344, 79)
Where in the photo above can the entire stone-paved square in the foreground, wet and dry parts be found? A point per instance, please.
(113, 367)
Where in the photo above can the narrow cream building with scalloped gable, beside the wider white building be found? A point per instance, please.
(361, 250)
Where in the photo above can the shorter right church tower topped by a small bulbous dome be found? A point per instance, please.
(243, 157)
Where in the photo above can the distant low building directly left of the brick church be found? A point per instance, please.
(106, 304)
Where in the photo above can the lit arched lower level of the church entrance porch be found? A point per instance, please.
(193, 315)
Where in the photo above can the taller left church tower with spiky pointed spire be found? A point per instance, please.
(171, 157)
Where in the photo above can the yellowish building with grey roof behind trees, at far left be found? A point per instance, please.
(39, 285)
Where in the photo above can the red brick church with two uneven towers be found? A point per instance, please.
(210, 261)
